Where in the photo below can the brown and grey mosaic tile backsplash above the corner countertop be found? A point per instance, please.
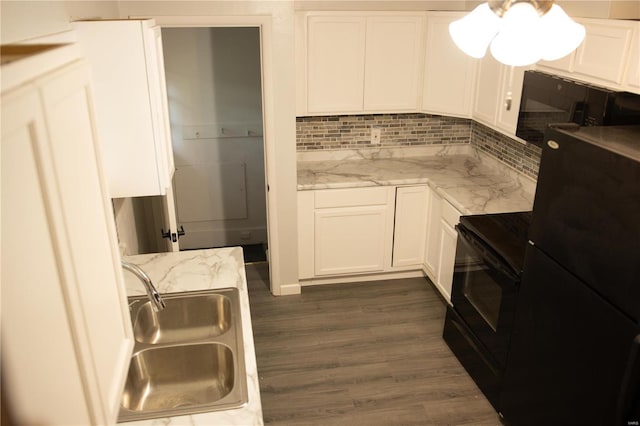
(350, 132)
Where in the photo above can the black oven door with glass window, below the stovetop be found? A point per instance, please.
(484, 293)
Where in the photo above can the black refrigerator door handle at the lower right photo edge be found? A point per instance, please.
(628, 411)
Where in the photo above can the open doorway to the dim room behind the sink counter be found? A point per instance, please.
(213, 77)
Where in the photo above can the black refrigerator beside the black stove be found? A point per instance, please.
(574, 357)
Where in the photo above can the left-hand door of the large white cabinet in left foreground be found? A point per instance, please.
(37, 345)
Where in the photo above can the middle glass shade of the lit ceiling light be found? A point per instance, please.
(517, 42)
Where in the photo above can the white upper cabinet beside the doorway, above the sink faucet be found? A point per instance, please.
(131, 104)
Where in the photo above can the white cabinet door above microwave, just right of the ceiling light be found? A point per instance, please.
(603, 52)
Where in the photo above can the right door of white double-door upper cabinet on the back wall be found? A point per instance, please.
(392, 63)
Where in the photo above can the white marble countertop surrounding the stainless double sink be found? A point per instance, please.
(203, 270)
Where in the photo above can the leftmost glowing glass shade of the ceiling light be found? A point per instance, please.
(473, 32)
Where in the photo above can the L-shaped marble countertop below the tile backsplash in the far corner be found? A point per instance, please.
(472, 182)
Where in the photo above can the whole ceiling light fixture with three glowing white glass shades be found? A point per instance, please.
(520, 32)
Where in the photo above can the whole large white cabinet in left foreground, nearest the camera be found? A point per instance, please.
(64, 313)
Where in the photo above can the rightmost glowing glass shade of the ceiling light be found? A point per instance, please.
(560, 35)
